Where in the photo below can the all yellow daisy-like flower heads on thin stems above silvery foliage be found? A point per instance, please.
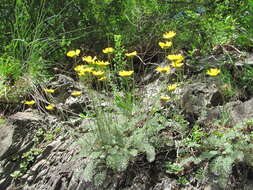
(97, 68)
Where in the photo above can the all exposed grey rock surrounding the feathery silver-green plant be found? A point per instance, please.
(58, 168)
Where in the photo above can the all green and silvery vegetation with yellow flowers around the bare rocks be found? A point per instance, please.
(110, 47)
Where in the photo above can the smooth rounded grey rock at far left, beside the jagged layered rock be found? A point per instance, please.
(16, 138)
